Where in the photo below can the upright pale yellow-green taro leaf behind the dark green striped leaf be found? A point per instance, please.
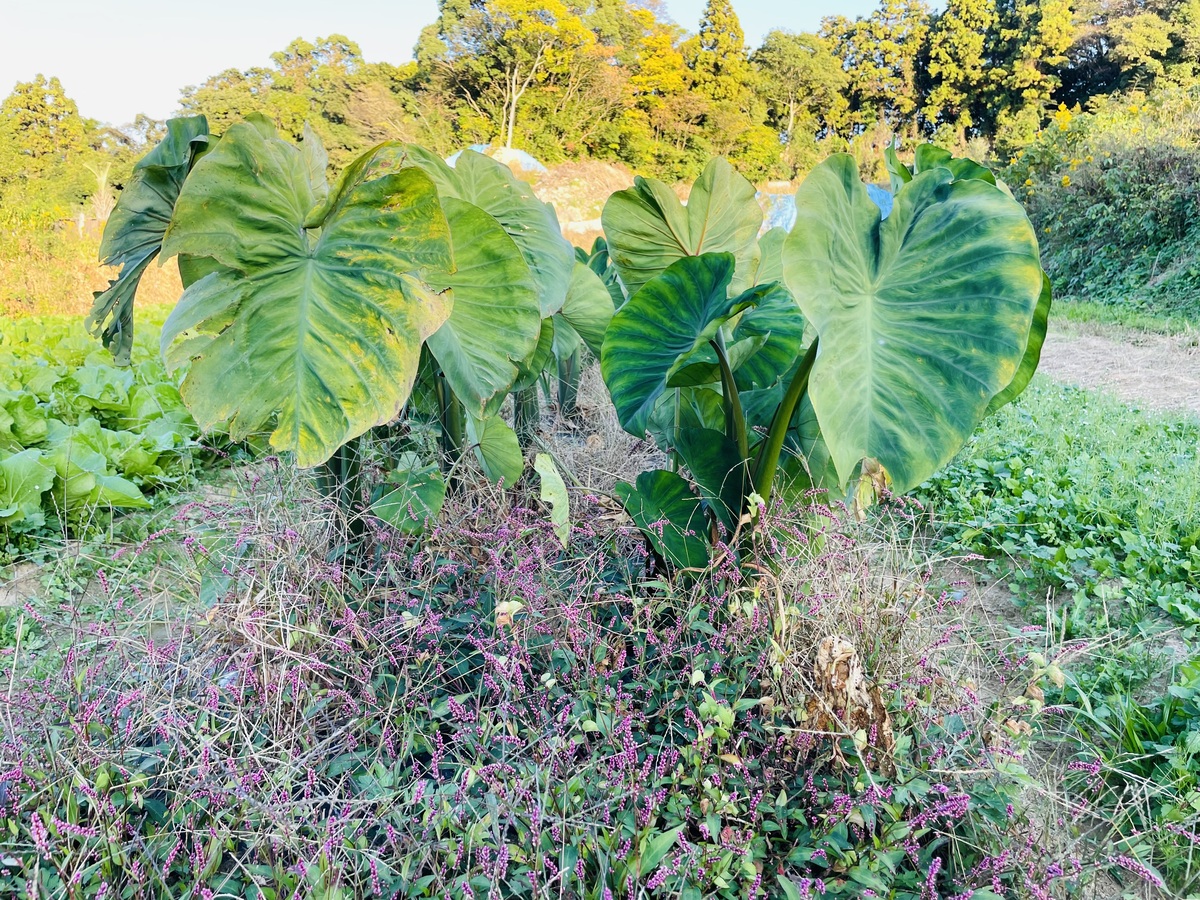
(649, 229)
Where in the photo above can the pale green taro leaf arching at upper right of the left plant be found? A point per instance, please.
(531, 223)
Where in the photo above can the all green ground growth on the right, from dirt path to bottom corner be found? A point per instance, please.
(1091, 512)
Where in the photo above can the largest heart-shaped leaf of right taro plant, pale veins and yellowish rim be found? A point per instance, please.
(923, 319)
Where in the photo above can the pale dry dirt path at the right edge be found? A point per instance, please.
(1154, 371)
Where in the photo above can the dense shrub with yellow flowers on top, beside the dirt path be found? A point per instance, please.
(1115, 195)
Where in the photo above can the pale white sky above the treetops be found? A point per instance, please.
(119, 58)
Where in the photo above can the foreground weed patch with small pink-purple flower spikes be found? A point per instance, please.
(487, 715)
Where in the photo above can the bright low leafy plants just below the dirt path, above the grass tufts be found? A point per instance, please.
(1078, 493)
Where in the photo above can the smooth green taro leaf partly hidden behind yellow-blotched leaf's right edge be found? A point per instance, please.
(495, 325)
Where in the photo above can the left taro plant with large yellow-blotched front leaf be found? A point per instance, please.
(310, 311)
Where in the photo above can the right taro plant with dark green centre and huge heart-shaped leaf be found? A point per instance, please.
(856, 353)
